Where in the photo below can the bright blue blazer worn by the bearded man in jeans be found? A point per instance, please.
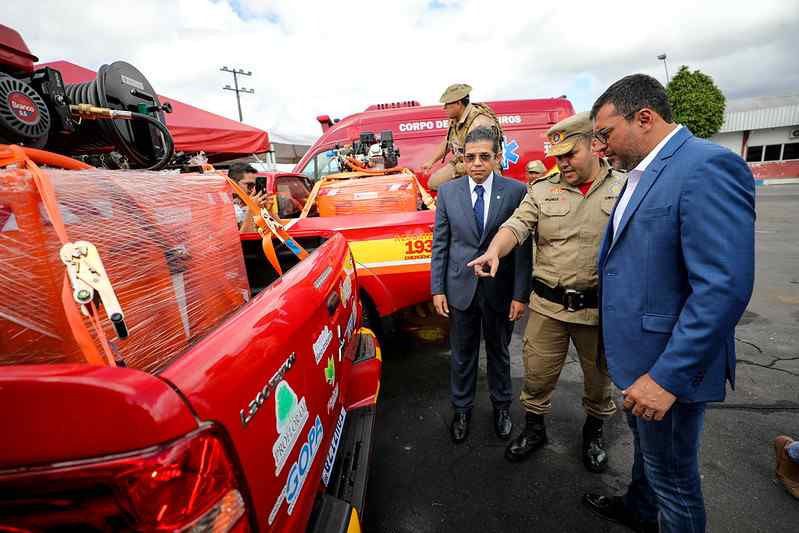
(679, 275)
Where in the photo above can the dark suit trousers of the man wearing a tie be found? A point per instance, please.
(464, 338)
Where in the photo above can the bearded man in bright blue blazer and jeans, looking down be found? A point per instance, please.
(676, 270)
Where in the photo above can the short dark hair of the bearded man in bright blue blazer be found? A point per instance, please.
(633, 93)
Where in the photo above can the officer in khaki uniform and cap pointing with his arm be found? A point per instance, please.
(565, 213)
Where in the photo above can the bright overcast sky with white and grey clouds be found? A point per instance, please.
(337, 57)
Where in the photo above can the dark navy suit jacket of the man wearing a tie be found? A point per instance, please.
(456, 242)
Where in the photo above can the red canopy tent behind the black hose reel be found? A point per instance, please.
(192, 128)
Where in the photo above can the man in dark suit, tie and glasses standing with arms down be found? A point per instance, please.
(469, 212)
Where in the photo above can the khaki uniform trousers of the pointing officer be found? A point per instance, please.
(546, 343)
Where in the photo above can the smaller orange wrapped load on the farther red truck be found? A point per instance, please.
(394, 193)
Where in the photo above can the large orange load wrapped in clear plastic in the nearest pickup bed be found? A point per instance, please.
(170, 246)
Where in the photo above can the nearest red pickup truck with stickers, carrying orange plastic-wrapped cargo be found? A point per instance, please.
(263, 420)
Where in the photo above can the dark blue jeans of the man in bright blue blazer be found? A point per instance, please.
(665, 475)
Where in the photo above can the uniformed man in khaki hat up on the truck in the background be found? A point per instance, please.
(463, 118)
